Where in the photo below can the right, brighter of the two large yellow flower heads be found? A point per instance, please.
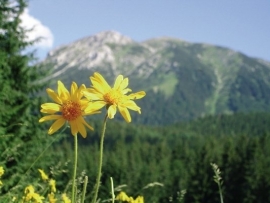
(114, 97)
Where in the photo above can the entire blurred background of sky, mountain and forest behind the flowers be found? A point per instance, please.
(205, 68)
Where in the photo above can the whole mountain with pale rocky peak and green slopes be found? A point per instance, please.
(182, 80)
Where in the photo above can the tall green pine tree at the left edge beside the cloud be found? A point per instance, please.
(20, 137)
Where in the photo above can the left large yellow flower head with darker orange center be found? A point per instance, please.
(68, 107)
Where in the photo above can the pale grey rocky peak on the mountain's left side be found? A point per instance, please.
(87, 52)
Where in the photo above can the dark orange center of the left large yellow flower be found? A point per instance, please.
(71, 110)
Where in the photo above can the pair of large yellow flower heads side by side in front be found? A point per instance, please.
(72, 106)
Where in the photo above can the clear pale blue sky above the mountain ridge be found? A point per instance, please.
(242, 25)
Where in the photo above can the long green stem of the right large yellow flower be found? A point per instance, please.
(100, 159)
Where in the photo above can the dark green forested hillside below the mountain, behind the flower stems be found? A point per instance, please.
(177, 158)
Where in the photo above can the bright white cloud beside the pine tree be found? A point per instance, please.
(39, 30)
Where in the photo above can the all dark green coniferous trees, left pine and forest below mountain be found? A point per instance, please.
(169, 163)
